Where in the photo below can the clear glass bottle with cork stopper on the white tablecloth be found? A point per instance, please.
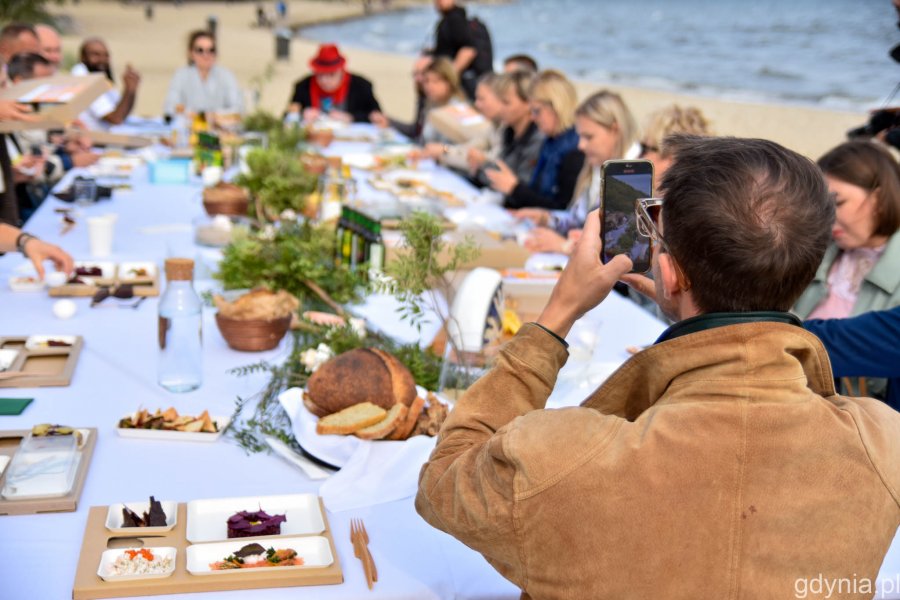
(180, 366)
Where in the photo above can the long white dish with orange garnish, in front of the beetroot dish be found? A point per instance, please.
(314, 550)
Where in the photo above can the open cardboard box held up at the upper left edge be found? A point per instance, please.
(58, 100)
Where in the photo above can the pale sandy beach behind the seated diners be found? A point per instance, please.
(157, 47)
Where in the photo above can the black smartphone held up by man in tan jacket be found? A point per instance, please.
(623, 183)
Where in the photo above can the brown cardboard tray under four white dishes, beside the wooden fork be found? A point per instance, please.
(97, 539)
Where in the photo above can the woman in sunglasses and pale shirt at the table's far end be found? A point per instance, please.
(203, 86)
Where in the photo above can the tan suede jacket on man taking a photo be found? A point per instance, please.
(719, 464)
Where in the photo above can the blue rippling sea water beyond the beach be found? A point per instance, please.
(826, 53)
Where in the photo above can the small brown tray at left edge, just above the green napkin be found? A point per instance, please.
(40, 367)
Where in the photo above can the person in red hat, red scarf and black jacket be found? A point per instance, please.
(333, 90)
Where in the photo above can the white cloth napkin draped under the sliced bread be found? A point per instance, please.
(372, 472)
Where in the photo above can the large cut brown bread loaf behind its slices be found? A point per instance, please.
(360, 375)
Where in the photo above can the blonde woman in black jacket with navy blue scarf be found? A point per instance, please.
(553, 100)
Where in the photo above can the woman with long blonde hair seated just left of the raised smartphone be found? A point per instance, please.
(606, 131)
